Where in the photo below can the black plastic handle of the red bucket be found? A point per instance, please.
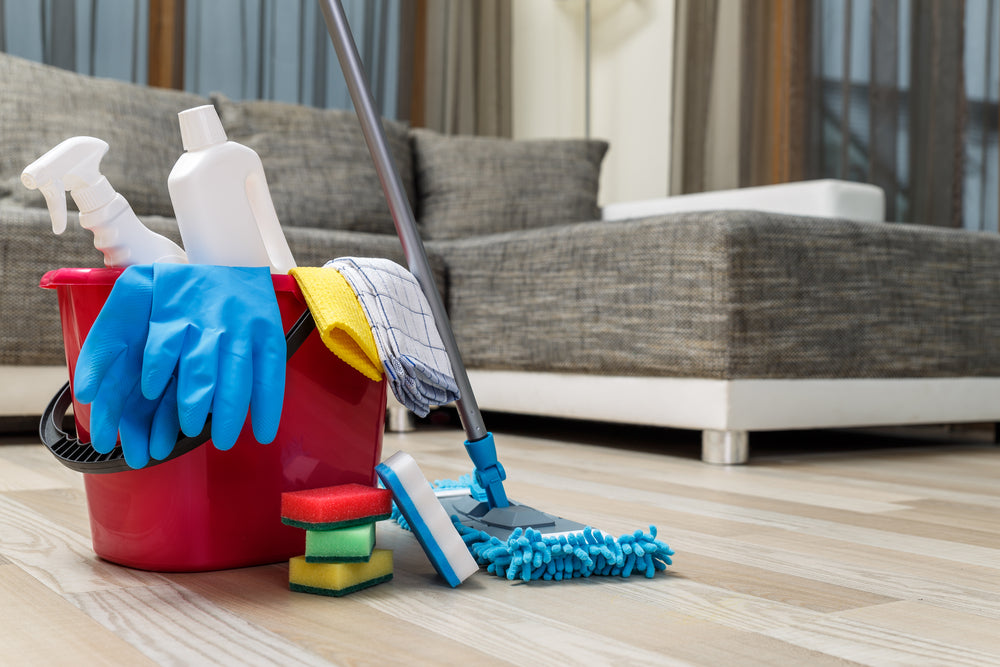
(80, 456)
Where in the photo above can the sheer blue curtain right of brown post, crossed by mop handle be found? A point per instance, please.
(280, 50)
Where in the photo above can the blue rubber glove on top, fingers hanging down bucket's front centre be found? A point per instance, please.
(219, 329)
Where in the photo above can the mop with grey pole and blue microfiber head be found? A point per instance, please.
(509, 539)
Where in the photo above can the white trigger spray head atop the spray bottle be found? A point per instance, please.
(74, 166)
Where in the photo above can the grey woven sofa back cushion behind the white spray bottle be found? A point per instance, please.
(41, 106)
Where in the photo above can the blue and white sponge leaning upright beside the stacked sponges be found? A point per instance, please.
(426, 516)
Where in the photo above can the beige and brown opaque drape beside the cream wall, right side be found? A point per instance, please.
(740, 85)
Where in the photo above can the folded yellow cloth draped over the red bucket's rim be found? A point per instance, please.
(340, 320)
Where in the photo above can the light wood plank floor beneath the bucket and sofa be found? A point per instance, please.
(828, 548)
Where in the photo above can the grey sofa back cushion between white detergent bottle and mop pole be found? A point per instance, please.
(317, 164)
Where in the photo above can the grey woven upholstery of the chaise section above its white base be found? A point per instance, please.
(729, 295)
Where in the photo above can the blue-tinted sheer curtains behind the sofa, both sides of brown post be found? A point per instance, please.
(245, 49)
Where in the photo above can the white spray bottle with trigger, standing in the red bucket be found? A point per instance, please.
(74, 165)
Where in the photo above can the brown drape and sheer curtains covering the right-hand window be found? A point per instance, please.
(899, 93)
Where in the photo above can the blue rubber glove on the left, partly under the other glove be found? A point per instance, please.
(108, 373)
